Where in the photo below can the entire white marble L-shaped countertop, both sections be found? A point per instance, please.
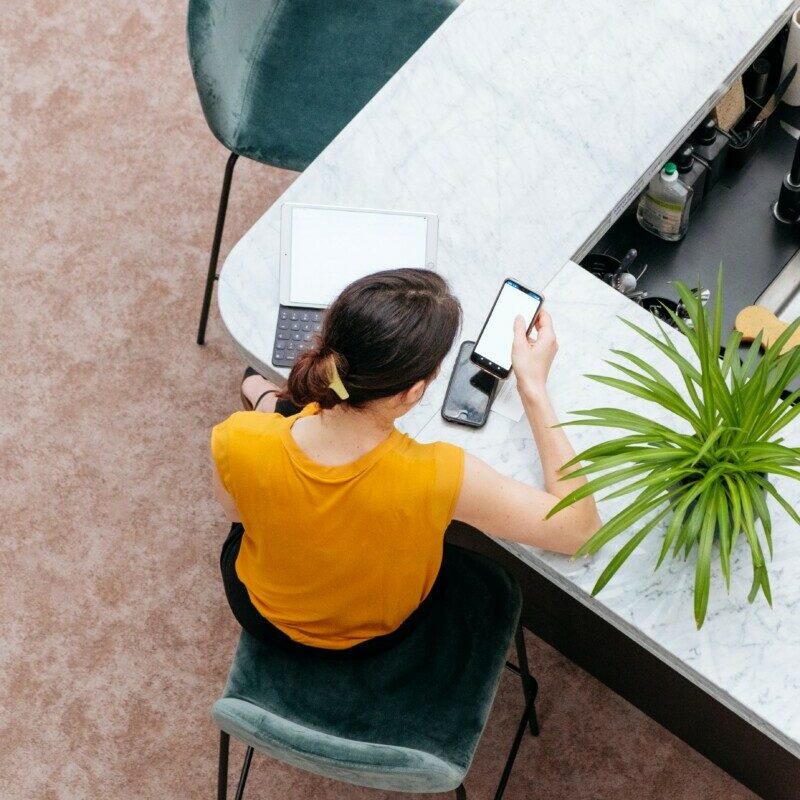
(527, 127)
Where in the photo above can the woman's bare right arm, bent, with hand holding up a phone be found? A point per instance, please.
(509, 509)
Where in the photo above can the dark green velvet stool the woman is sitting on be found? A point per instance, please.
(406, 719)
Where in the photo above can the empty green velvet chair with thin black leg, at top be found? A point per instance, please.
(279, 79)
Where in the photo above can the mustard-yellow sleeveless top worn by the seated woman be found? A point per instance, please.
(334, 556)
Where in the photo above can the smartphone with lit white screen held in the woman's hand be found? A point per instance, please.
(493, 349)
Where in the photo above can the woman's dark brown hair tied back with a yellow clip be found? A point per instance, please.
(384, 333)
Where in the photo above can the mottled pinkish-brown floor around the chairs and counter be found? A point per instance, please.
(115, 634)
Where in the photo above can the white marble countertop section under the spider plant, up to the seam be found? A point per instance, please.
(745, 655)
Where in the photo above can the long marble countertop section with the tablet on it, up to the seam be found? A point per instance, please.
(521, 125)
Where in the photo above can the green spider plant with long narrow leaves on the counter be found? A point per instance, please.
(709, 479)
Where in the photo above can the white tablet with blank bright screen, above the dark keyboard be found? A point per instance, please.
(324, 248)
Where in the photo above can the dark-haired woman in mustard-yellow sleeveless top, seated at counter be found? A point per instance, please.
(338, 517)
